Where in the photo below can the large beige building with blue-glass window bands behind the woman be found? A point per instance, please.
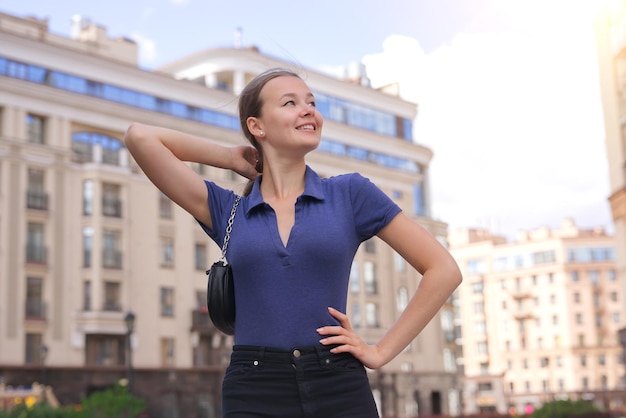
(87, 242)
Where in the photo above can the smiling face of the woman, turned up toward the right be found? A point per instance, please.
(289, 117)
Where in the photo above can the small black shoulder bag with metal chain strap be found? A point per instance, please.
(220, 288)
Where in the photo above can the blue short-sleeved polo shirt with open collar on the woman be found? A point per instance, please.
(282, 292)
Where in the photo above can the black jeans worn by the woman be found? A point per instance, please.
(303, 382)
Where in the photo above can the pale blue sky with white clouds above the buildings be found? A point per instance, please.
(507, 90)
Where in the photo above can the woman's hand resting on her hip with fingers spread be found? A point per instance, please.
(347, 341)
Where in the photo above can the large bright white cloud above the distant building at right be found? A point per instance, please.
(514, 121)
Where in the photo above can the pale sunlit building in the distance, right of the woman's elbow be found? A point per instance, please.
(540, 318)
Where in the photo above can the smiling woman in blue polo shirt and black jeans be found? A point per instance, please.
(291, 247)
